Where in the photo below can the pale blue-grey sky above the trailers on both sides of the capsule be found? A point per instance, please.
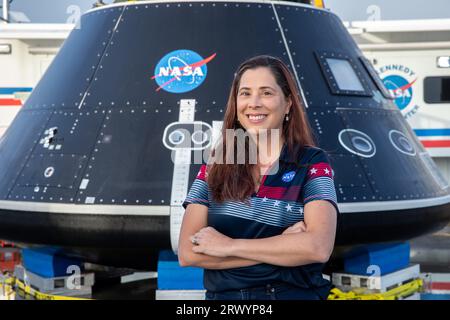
(61, 10)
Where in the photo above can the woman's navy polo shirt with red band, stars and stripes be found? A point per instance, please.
(301, 177)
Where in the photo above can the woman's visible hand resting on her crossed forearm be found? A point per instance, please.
(211, 242)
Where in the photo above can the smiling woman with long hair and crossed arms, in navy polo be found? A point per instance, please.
(263, 236)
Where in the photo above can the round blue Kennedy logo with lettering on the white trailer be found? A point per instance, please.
(399, 80)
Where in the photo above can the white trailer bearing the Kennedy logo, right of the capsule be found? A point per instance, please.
(412, 57)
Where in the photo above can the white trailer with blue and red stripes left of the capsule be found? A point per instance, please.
(26, 50)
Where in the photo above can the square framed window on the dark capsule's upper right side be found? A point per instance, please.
(343, 75)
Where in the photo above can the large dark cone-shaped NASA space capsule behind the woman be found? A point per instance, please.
(94, 162)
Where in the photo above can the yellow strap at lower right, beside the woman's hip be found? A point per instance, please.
(399, 292)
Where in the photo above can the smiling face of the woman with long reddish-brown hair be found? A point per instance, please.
(261, 104)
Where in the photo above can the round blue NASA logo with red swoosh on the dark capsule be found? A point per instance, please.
(181, 71)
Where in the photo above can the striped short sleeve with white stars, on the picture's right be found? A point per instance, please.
(319, 184)
